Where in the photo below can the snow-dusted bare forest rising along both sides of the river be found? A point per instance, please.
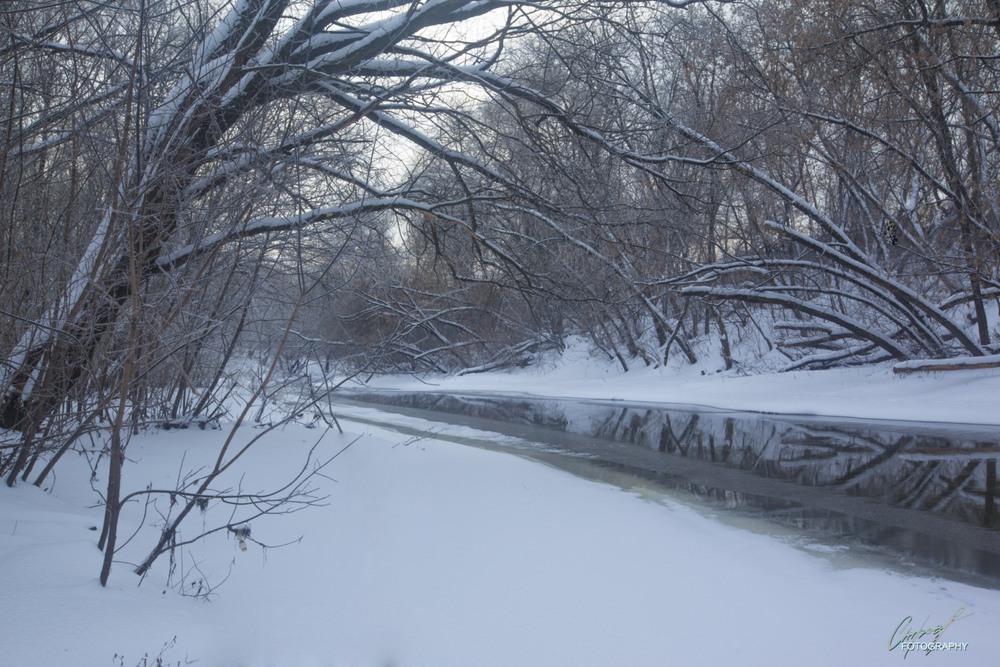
(205, 201)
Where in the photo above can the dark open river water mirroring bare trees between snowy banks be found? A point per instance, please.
(926, 490)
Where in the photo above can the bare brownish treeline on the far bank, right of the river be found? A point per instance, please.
(817, 174)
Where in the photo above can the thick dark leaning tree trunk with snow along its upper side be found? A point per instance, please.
(53, 355)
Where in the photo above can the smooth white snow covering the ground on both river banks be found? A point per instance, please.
(433, 553)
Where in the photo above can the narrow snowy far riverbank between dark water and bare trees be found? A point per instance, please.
(871, 392)
